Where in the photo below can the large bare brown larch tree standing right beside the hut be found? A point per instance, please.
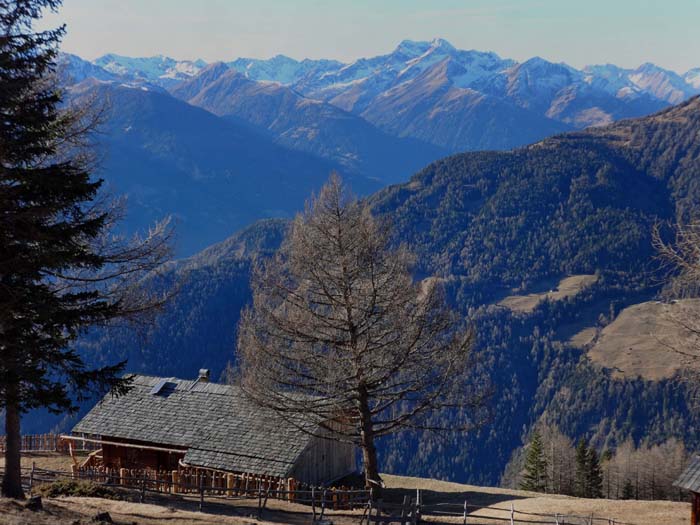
(341, 339)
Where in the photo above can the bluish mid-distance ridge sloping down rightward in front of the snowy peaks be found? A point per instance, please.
(307, 125)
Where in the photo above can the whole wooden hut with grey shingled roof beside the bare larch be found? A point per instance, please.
(168, 423)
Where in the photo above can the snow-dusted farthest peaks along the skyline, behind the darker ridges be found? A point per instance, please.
(442, 82)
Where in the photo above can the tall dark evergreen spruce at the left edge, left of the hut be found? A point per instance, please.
(60, 269)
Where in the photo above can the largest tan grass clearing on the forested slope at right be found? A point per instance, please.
(637, 342)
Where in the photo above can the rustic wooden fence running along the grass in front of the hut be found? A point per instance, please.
(205, 487)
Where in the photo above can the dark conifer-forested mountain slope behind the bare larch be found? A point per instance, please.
(493, 225)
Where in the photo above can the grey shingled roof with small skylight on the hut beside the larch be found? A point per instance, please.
(220, 428)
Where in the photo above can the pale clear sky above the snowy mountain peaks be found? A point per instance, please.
(578, 32)
